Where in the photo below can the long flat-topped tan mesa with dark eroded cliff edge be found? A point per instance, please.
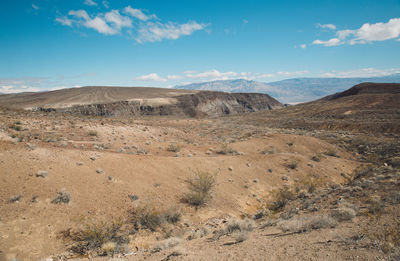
(137, 101)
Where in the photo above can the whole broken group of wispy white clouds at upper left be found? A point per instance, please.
(147, 27)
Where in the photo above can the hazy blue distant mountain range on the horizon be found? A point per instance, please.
(291, 90)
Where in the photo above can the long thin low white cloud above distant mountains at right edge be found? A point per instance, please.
(365, 72)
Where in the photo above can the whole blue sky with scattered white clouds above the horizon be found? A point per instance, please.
(52, 44)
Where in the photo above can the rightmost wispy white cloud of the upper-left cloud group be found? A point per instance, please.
(156, 31)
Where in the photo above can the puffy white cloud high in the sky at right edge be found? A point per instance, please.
(367, 33)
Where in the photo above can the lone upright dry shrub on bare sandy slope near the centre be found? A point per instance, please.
(200, 189)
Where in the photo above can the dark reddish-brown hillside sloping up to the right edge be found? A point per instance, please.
(368, 107)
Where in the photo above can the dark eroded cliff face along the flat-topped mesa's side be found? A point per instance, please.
(202, 104)
